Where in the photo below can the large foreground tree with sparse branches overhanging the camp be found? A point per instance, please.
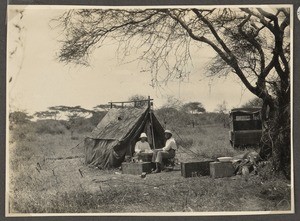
(252, 43)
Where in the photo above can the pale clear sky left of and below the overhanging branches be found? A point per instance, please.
(37, 80)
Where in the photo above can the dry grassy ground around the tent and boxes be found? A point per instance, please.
(47, 174)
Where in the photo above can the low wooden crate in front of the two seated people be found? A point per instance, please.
(136, 168)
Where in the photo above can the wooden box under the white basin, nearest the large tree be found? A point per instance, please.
(221, 169)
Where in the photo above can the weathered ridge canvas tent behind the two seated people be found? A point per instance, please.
(116, 134)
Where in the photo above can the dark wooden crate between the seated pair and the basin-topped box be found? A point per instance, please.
(200, 168)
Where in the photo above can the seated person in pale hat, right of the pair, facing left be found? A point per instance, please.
(167, 152)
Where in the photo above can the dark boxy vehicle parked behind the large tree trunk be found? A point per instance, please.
(245, 127)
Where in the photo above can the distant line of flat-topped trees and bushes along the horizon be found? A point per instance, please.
(174, 113)
